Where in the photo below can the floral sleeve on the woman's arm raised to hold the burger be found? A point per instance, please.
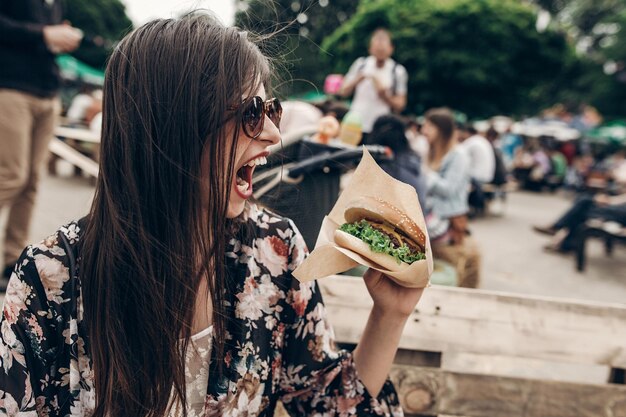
(316, 377)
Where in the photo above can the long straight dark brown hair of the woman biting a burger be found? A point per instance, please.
(158, 224)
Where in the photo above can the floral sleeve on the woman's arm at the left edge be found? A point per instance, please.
(24, 340)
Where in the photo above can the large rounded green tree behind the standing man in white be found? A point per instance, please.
(482, 57)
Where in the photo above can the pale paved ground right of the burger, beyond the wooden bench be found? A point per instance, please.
(515, 261)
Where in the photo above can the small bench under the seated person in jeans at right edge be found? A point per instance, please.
(610, 232)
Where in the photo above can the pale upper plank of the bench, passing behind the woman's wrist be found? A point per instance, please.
(477, 321)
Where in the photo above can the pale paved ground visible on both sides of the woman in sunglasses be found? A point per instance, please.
(512, 256)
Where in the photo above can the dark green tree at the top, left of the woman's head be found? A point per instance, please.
(104, 22)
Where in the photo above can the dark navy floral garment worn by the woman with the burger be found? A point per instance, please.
(280, 343)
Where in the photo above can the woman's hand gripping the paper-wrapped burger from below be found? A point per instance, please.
(390, 299)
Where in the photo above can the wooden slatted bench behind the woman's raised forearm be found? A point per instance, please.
(544, 338)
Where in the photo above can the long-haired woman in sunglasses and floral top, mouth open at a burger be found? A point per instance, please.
(175, 295)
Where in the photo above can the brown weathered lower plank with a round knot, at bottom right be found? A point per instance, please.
(432, 391)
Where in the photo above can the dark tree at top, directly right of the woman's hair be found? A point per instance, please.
(298, 28)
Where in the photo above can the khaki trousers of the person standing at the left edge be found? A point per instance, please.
(26, 127)
